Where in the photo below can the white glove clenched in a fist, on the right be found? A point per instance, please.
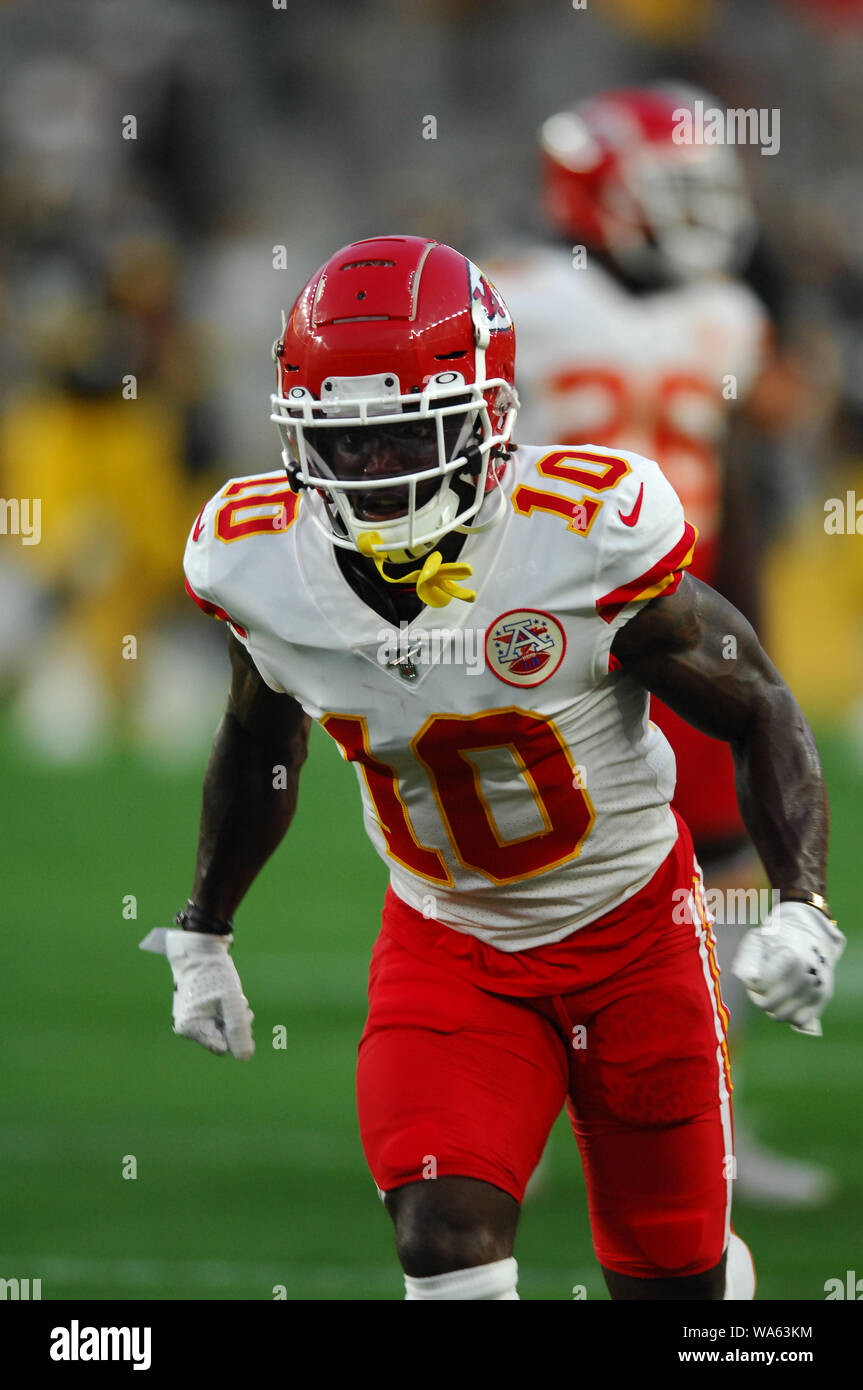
(787, 965)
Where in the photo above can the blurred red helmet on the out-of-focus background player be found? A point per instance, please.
(619, 179)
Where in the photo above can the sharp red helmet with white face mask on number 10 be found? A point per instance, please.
(398, 350)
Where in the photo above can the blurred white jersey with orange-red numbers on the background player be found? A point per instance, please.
(658, 373)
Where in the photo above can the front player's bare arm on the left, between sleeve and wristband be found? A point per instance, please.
(248, 801)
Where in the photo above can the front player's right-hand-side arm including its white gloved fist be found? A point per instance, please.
(702, 658)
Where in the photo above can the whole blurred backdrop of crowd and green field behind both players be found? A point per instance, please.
(172, 174)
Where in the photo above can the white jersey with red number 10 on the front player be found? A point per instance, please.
(511, 778)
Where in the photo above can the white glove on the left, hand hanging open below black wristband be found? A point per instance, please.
(209, 1001)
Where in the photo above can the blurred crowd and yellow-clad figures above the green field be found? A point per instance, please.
(173, 173)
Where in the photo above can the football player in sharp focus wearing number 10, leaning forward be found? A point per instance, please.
(544, 939)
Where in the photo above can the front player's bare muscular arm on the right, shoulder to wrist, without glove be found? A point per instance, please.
(702, 658)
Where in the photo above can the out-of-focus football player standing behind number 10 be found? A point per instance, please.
(636, 332)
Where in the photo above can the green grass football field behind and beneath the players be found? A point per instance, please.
(252, 1177)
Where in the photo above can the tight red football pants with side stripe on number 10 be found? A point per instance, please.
(469, 1056)
